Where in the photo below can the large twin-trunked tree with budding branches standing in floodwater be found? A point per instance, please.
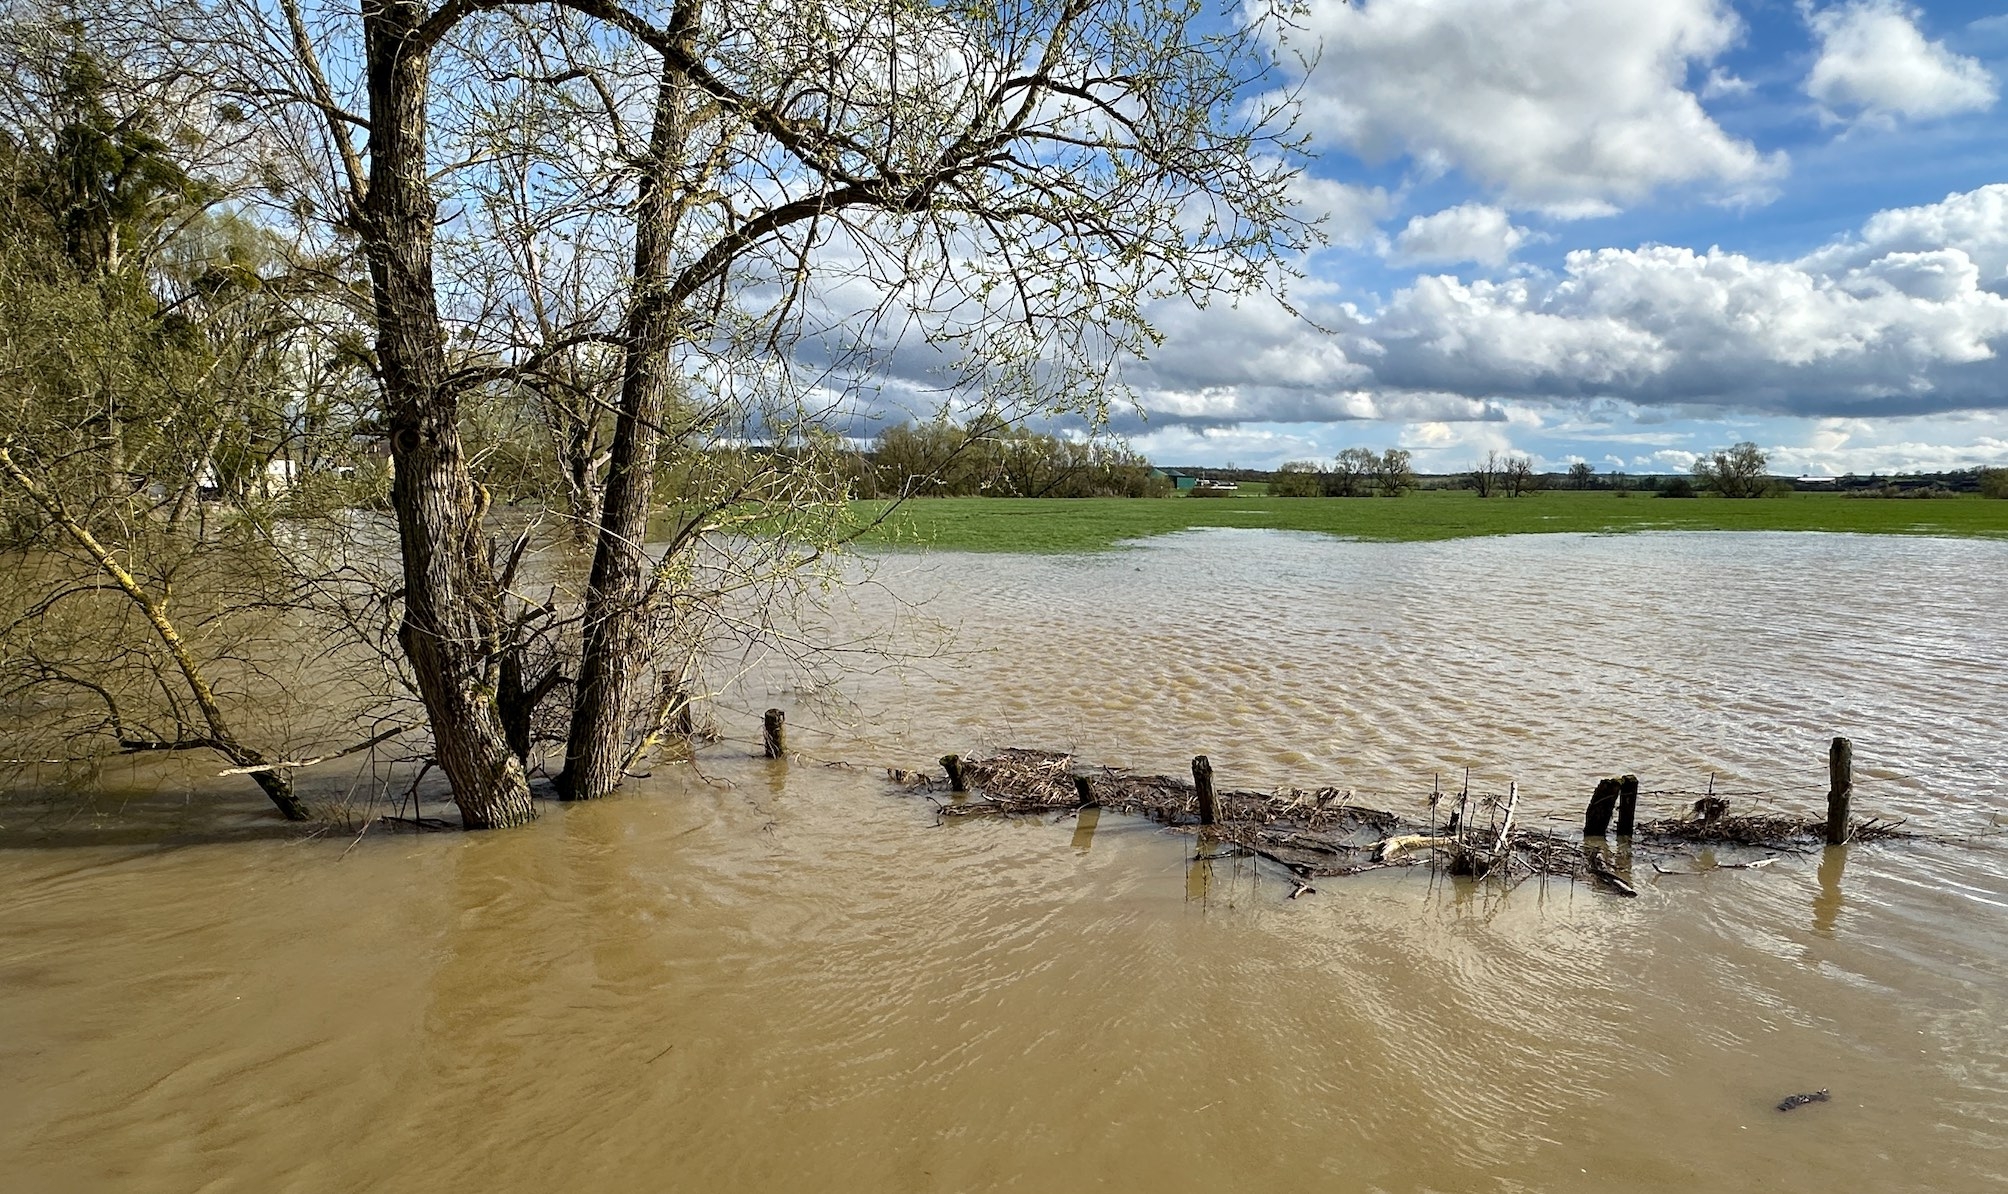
(702, 234)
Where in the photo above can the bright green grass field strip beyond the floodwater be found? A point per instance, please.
(1031, 525)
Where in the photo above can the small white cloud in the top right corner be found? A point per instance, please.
(1876, 63)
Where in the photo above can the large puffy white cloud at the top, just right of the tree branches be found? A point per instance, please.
(1573, 107)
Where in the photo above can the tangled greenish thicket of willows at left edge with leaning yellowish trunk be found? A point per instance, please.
(150, 354)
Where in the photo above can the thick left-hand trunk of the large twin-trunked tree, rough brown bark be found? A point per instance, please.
(451, 595)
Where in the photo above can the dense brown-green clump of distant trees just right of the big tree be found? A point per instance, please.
(943, 459)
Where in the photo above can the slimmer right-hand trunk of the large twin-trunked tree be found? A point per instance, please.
(617, 653)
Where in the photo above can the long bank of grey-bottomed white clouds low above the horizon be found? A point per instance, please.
(1901, 320)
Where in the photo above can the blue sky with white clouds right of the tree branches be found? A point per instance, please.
(1627, 232)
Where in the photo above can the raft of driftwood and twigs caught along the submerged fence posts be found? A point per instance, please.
(1326, 834)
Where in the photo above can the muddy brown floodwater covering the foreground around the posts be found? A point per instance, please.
(760, 976)
